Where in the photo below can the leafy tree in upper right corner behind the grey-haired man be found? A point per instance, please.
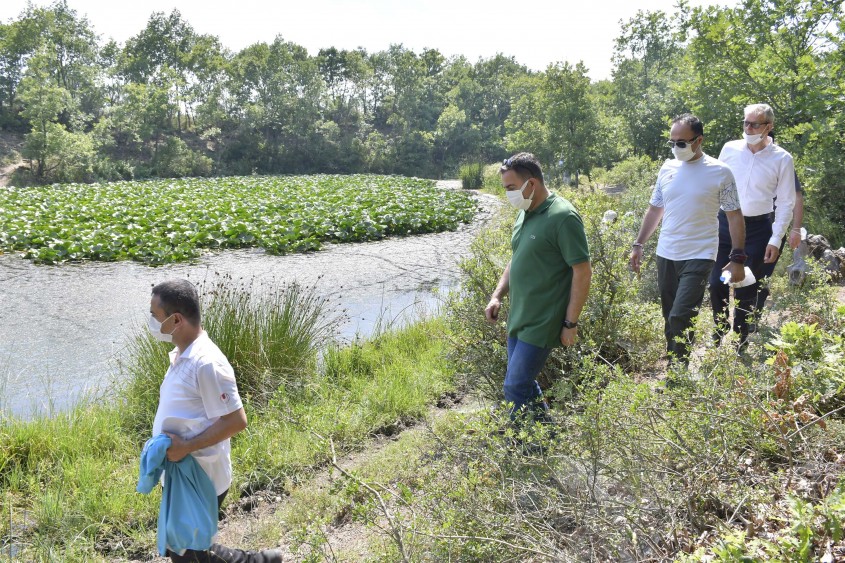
(788, 54)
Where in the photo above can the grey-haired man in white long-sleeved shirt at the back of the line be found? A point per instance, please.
(763, 171)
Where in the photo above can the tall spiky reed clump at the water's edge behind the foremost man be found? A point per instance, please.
(270, 333)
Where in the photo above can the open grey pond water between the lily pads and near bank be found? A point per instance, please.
(63, 327)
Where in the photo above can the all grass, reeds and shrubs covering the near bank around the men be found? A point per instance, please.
(739, 457)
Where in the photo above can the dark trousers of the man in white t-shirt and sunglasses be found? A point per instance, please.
(681, 284)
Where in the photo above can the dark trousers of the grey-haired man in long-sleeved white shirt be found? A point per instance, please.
(758, 231)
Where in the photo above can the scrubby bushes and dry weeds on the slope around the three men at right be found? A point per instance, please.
(740, 459)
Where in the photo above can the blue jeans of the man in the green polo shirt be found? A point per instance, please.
(525, 362)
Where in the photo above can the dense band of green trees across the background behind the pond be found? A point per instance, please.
(173, 102)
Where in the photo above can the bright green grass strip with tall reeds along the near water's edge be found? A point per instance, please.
(67, 484)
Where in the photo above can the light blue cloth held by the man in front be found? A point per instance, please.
(187, 517)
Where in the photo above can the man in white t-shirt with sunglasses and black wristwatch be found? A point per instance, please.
(687, 196)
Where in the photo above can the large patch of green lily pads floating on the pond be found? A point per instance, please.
(164, 221)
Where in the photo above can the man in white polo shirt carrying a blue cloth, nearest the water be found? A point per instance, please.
(199, 405)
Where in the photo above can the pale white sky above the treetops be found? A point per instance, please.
(536, 34)
